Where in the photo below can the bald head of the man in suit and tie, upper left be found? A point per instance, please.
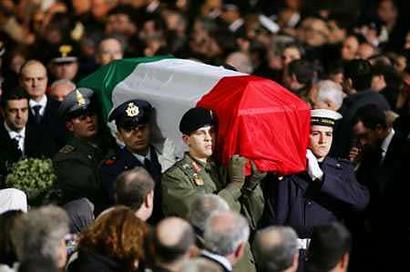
(33, 78)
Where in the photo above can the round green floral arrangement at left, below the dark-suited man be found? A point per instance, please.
(33, 176)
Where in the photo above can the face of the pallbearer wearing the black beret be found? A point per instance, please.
(201, 142)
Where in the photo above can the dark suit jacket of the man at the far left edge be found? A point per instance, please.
(34, 146)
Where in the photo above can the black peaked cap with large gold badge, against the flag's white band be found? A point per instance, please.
(131, 113)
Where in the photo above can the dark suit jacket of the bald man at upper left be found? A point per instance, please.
(51, 127)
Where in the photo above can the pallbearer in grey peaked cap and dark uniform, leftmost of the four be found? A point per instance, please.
(76, 164)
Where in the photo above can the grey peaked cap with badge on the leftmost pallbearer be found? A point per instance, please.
(76, 103)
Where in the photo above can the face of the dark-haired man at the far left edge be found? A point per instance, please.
(16, 114)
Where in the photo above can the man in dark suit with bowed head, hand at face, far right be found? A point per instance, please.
(383, 160)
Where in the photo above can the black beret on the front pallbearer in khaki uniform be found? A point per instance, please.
(194, 119)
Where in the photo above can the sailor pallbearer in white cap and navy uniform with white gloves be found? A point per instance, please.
(326, 191)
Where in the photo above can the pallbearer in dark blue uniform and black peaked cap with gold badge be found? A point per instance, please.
(133, 120)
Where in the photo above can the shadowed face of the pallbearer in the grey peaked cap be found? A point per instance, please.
(84, 126)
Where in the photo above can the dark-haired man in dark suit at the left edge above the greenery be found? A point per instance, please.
(17, 138)
